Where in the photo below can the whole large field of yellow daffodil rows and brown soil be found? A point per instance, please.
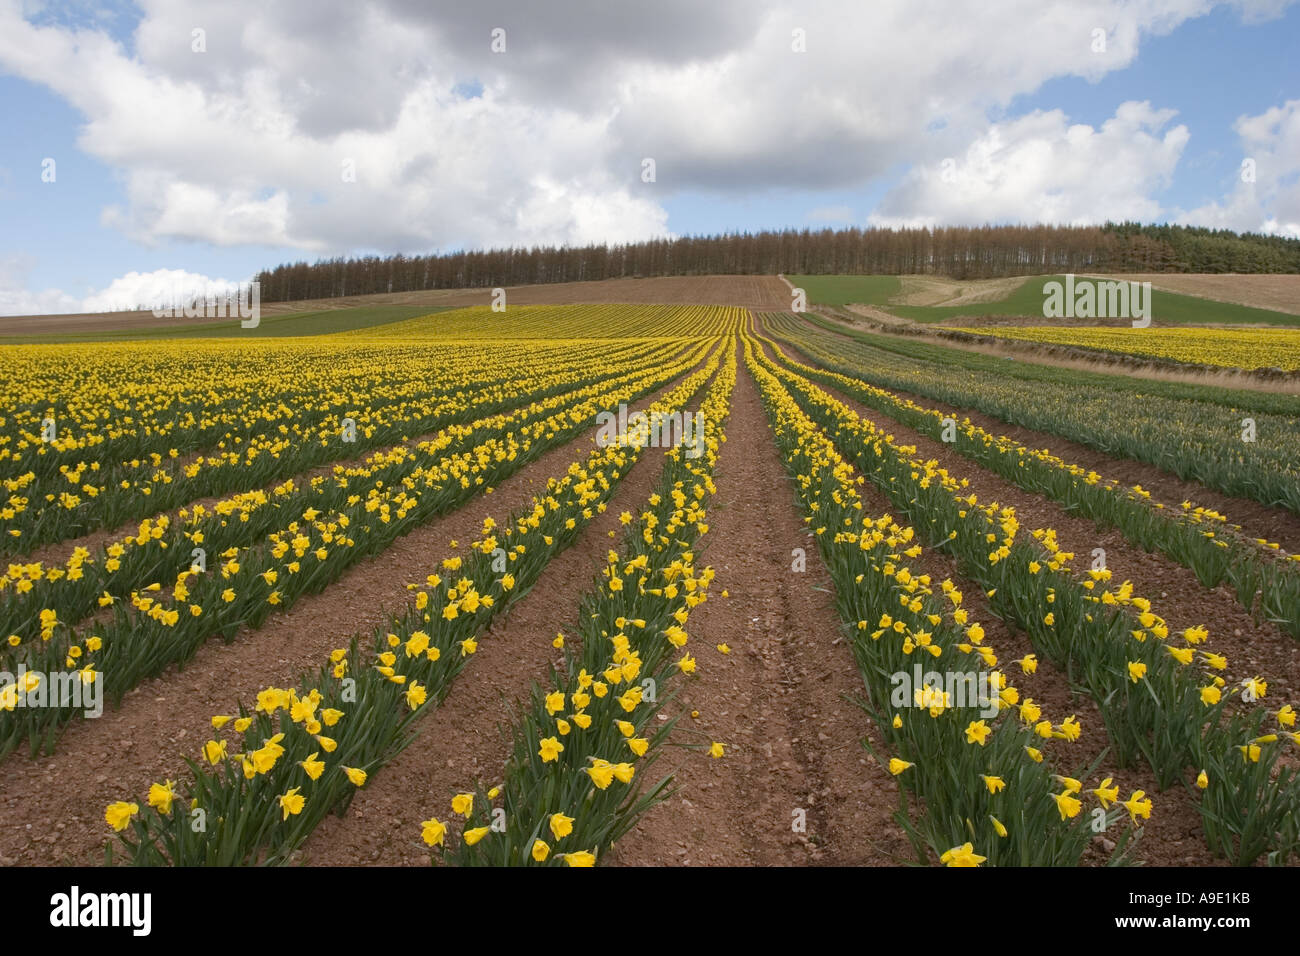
(627, 585)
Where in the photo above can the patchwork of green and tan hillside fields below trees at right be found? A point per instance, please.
(1225, 301)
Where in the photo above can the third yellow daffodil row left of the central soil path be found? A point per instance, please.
(320, 534)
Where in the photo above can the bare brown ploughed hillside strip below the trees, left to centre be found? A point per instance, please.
(755, 292)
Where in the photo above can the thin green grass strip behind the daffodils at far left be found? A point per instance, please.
(294, 325)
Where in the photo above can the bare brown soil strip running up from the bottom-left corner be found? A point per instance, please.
(53, 810)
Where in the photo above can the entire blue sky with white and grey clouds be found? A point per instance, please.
(163, 148)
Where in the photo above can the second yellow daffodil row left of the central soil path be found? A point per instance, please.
(274, 771)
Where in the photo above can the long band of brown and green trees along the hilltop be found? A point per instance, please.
(957, 252)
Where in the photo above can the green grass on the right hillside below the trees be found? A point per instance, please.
(1026, 301)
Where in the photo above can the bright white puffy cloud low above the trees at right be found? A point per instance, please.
(1039, 168)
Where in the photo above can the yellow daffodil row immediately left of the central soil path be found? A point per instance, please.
(584, 745)
